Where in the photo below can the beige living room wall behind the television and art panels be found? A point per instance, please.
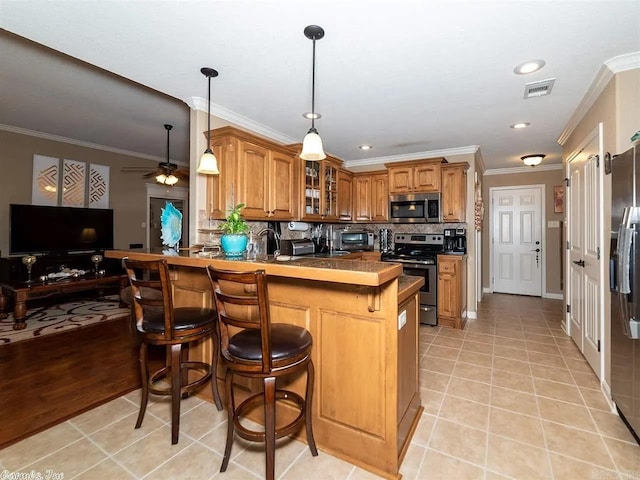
(127, 191)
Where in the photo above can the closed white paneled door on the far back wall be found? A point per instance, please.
(517, 240)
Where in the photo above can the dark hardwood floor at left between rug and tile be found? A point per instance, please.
(48, 380)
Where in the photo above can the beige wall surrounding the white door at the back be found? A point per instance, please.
(551, 245)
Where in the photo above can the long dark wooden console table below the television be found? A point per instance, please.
(21, 292)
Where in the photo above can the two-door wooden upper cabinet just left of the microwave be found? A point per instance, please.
(371, 197)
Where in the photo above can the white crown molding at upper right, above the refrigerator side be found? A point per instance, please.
(618, 64)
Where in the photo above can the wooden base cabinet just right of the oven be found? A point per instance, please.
(452, 290)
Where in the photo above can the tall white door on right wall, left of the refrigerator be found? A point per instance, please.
(585, 255)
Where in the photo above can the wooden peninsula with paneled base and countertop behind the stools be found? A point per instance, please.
(363, 317)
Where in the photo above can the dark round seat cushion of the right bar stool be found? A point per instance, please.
(286, 341)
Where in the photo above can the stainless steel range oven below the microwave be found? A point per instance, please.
(418, 255)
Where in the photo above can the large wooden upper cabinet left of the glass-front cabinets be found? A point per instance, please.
(253, 171)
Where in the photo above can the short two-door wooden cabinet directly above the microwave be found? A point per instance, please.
(419, 176)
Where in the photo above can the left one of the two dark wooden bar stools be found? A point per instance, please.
(159, 323)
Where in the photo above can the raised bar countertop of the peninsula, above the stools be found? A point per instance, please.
(336, 270)
